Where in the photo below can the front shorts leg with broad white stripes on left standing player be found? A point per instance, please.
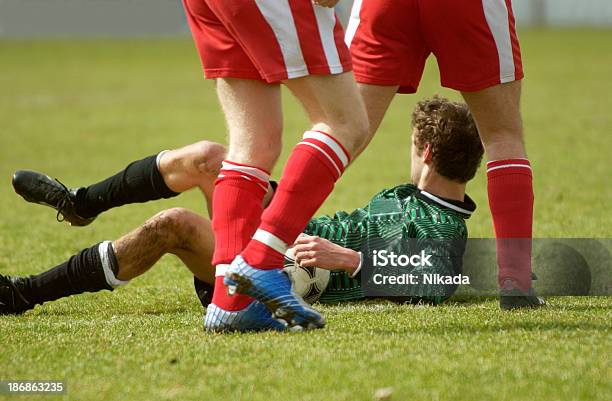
(286, 39)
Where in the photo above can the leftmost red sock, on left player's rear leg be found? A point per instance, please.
(237, 208)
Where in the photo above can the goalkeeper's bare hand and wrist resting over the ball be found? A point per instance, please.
(319, 252)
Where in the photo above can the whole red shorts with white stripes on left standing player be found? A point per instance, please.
(268, 40)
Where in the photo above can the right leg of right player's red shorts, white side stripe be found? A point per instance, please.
(474, 42)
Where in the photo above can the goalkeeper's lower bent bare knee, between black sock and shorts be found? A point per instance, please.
(176, 231)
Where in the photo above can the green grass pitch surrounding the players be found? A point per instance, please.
(80, 110)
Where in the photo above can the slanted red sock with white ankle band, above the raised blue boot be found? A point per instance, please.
(313, 168)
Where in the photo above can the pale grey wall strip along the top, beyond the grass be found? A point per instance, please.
(47, 18)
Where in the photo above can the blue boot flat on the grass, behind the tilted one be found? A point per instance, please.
(255, 317)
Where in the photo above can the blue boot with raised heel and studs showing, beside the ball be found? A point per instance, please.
(273, 288)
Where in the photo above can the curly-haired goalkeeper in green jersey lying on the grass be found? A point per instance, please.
(446, 152)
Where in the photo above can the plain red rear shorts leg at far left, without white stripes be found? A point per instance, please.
(221, 55)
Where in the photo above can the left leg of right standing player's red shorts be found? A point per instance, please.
(386, 43)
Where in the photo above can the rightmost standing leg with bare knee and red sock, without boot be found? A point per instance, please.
(510, 189)
